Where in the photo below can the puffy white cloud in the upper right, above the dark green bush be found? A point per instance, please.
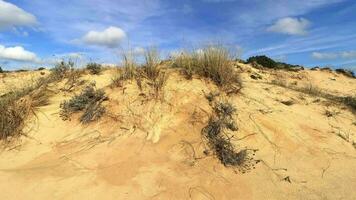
(290, 26)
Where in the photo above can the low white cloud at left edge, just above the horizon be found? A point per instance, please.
(17, 53)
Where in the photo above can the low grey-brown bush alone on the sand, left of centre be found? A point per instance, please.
(89, 100)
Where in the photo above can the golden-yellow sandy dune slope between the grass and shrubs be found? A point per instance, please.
(148, 149)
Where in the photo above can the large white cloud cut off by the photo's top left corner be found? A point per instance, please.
(12, 16)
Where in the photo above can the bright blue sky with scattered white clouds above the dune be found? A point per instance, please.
(307, 32)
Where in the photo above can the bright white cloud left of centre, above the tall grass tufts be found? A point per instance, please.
(110, 37)
